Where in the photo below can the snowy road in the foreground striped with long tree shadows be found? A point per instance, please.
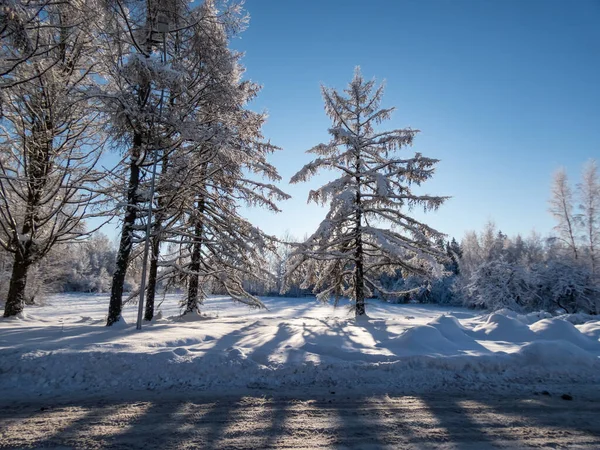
(328, 421)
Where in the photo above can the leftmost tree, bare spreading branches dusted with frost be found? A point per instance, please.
(49, 141)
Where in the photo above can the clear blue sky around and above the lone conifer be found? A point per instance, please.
(504, 93)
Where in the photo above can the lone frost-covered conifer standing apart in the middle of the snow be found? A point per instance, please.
(368, 229)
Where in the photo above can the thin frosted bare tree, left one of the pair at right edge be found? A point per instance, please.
(561, 207)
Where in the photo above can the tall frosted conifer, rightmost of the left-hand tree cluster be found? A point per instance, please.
(214, 169)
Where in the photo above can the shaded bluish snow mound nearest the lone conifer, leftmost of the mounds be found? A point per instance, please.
(423, 339)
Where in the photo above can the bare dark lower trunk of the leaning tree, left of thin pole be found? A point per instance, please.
(126, 243)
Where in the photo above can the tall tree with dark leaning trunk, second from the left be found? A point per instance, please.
(135, 95)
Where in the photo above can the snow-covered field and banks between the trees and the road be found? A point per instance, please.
(63, 348)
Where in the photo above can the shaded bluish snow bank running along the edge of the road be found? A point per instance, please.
(34, 373)
